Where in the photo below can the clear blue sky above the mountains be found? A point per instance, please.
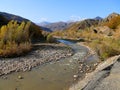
(59, 10)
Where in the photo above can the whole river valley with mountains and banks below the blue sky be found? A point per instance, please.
(58, 56)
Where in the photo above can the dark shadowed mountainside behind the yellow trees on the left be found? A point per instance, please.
(35, 30)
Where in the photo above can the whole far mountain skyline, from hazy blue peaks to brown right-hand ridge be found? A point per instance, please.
(78, 24)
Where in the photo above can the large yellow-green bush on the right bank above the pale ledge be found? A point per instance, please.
(105, 47)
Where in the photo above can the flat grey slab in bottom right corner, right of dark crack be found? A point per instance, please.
(112, 81)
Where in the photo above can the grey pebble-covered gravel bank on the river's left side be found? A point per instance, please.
(41, 53)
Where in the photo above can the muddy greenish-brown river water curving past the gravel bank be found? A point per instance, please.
(51, 76)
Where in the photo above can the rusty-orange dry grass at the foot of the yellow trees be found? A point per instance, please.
(13, 50)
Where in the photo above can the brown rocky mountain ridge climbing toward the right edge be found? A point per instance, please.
(92, 22)
